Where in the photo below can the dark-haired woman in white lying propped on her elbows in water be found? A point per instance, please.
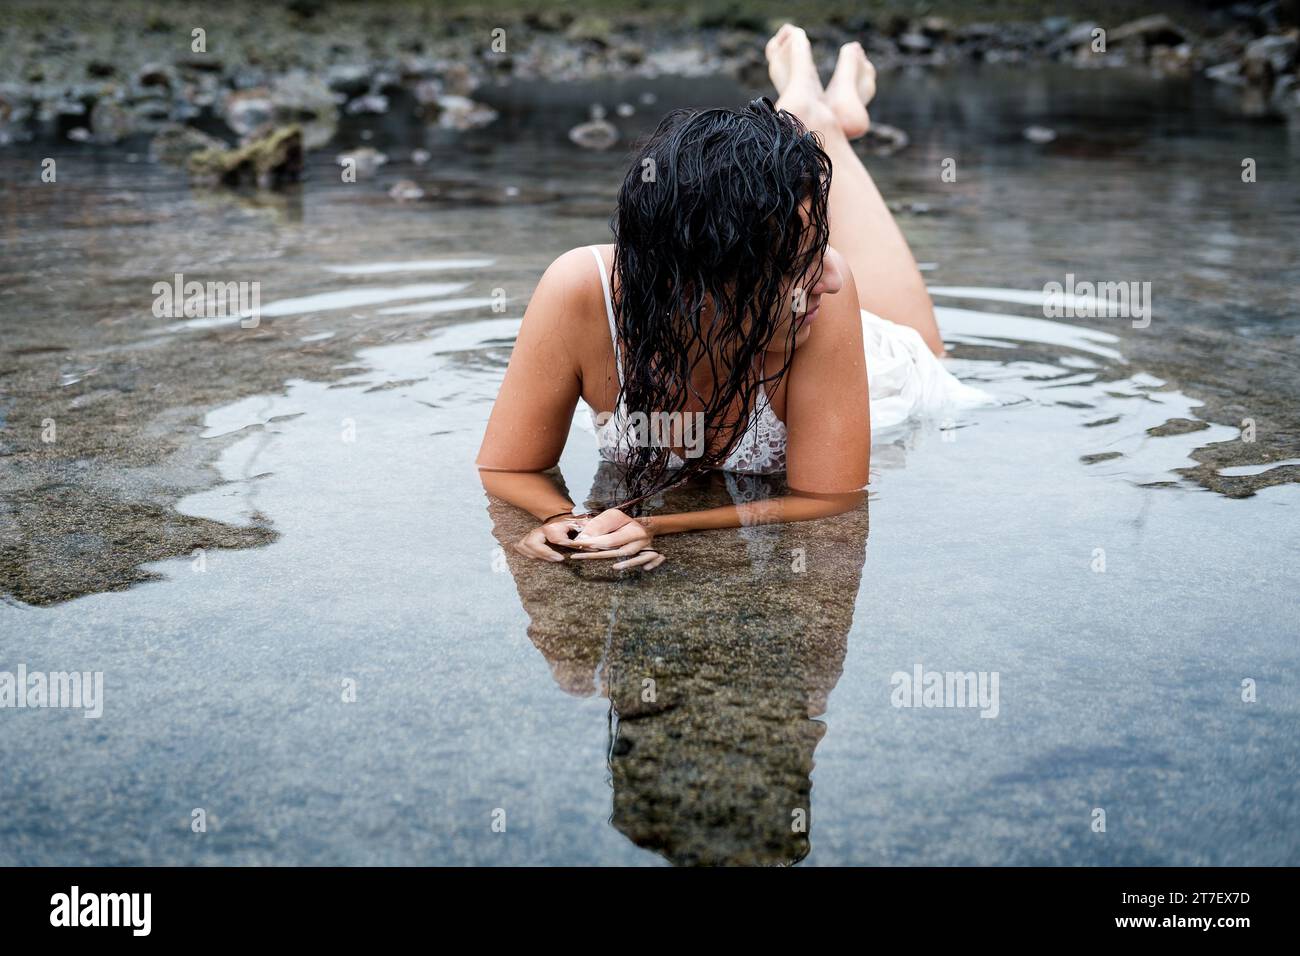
(747, 300)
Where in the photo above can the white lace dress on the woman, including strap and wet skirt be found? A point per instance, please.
(905, 379)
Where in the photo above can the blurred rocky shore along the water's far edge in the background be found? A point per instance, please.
(194, 80)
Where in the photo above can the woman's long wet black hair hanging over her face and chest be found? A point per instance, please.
(710, 213)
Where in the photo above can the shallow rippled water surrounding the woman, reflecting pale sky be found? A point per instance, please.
(1067, 540)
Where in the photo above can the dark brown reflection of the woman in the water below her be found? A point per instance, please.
(717, 667)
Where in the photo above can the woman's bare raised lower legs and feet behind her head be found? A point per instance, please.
(863, 228)
